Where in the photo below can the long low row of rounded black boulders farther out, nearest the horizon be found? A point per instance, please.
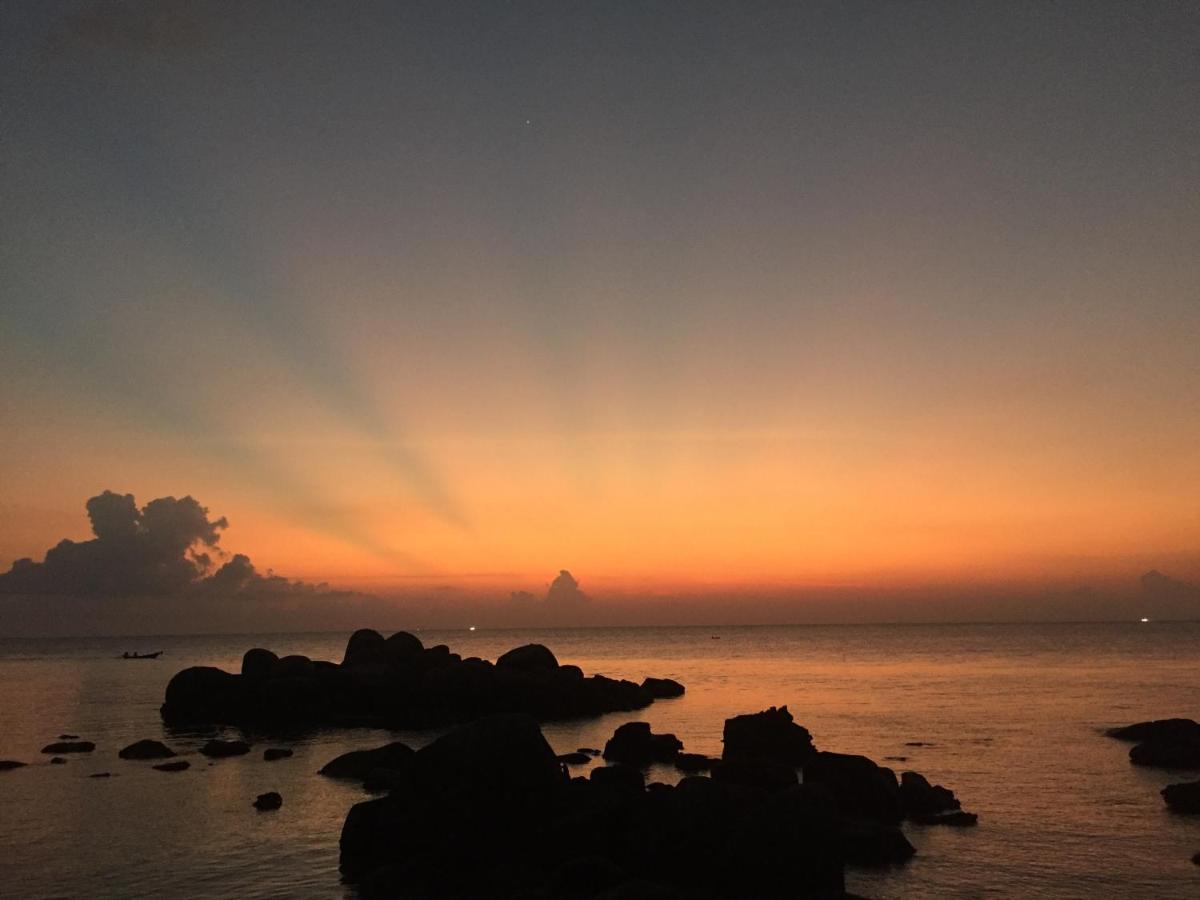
(397, 682)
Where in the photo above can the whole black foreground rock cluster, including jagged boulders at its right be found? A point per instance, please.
(490, 811)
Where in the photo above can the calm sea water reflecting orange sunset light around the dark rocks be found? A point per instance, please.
(1007, 716)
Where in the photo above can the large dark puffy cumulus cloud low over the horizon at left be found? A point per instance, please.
(167, 548)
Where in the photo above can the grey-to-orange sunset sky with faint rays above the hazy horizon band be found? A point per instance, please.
(665, 293)
